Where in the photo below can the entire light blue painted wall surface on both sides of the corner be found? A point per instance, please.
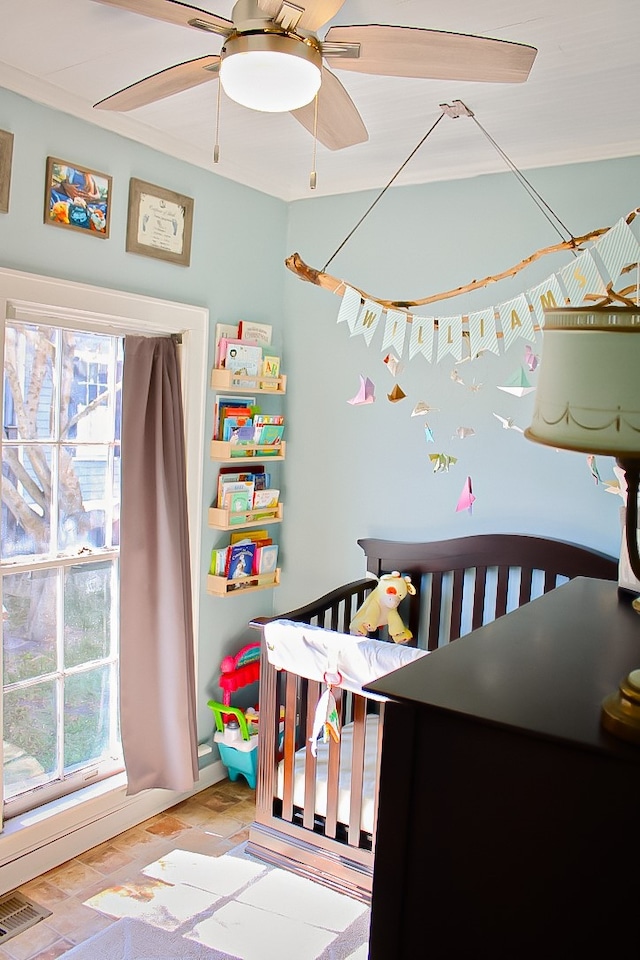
(350, 471)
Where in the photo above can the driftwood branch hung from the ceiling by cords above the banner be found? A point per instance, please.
(297, 265)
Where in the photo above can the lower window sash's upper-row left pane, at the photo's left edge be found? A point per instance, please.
(29, 630)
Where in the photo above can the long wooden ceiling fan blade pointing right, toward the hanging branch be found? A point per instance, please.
(432, 54)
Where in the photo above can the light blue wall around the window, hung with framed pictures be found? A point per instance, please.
(236, 272)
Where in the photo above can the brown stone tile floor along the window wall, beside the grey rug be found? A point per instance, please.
(210, 823)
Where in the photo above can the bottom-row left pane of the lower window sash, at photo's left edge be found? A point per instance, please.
(29, 737)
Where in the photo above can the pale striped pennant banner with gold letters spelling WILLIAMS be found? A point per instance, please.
(581, 282)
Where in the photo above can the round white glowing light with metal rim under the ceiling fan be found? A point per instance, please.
(274, 73)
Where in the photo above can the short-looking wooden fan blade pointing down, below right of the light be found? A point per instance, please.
(339, 123)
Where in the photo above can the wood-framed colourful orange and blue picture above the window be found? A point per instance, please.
(76, 198)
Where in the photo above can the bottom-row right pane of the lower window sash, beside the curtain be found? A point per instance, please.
(87, 708)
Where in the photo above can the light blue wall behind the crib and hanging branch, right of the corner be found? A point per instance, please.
(361, 471)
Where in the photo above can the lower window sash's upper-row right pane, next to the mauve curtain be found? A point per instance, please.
(87, 613)
